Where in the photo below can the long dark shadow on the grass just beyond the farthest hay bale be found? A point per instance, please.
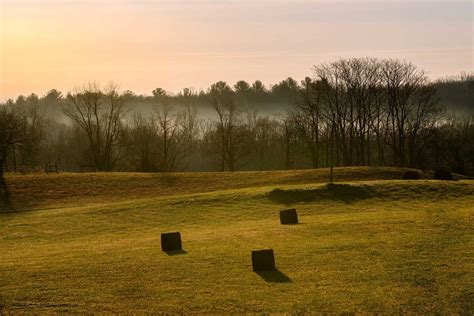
(332, 191)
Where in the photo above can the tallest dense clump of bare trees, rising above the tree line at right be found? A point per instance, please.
(367, 103)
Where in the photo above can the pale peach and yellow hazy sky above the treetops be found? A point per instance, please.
(146, 44)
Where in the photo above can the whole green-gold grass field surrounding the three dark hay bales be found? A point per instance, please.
(368, 243)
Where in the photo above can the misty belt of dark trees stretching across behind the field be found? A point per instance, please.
(360, 111)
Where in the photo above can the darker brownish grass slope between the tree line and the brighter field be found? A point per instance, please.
(46, 191)
